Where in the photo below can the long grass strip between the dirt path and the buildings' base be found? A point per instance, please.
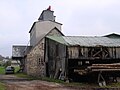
(71, 84)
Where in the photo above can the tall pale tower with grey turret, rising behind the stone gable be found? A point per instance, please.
(46, 22)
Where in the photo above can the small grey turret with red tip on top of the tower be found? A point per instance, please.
(47, 15)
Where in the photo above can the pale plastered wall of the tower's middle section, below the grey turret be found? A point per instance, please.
(41, 29)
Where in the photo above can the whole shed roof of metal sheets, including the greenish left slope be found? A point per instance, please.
(87, 41)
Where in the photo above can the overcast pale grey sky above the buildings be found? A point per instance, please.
(79, 17)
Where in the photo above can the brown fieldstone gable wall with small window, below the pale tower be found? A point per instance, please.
(35, 63)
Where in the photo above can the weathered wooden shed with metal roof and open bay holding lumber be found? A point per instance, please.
(82, 55)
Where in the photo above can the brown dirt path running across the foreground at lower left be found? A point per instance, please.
(15, 83)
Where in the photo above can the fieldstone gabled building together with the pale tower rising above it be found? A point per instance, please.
(45, 26)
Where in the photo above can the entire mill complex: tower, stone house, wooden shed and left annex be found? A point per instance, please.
(54, 55)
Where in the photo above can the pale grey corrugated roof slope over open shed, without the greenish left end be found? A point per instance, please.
(92, 41)
